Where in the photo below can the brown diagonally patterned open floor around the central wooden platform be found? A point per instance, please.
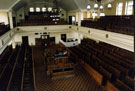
(82, 81)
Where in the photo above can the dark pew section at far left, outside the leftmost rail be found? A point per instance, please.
(8, 67)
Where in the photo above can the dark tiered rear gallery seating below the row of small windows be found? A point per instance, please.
(41, 18)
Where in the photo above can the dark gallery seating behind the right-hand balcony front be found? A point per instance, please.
(118, 24)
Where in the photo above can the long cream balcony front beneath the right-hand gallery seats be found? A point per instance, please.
(116, 39)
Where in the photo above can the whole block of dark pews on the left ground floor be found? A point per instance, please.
(14, 75)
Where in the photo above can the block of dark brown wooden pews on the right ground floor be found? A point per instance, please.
(109, 65)
